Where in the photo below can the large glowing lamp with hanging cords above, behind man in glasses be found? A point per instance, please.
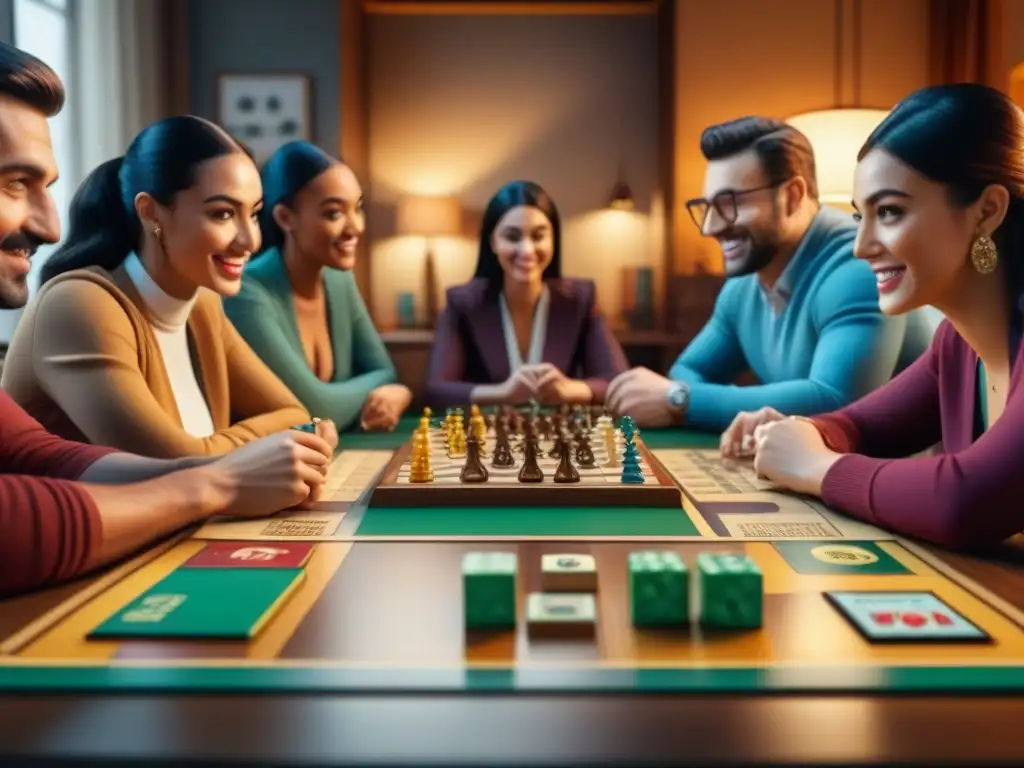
(838, 134)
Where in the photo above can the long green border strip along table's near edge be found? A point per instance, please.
(325, 680)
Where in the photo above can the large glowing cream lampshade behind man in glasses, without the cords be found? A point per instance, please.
(837, 137)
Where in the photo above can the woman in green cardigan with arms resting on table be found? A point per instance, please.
(300, 307)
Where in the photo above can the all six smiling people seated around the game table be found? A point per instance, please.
(199, 342)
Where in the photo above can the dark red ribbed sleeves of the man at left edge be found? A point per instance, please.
(49, 524)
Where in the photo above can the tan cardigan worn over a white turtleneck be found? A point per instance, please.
(86, 363)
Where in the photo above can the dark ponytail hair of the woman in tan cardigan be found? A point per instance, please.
(161, 161)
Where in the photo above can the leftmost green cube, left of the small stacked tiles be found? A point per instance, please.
(490, 590)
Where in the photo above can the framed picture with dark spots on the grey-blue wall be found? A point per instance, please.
(265, 112)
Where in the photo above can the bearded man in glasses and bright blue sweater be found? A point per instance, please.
(798, 310)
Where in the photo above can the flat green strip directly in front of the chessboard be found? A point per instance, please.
(527, 522)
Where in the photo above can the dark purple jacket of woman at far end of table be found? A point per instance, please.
(470, 344)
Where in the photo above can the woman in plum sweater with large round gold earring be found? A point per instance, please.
(940, 192)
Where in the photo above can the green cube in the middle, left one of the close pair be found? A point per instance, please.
(659, 589)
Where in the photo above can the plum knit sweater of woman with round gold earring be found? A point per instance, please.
(967, 500)
